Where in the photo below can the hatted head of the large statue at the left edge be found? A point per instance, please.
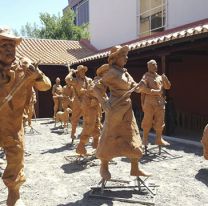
(8, 43)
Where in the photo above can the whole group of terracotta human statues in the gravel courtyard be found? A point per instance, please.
(83, 97)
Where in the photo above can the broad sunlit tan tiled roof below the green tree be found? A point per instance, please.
(53, 51)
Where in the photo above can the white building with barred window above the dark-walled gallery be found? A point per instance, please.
(114, 22)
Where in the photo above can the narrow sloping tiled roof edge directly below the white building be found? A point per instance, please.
(152, 41)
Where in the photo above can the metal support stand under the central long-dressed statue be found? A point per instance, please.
(141, 192)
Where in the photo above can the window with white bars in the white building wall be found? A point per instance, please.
(152, 16)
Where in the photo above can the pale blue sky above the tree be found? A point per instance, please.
(16, 13)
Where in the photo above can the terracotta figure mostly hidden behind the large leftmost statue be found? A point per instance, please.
(29, 111)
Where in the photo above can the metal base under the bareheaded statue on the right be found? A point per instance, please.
(157, 154)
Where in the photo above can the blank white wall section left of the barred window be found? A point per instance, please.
(112, 22)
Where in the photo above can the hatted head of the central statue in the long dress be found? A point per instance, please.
(118, 56)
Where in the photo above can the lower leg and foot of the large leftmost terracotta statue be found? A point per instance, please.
(14, 198)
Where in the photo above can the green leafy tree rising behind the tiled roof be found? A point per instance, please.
(56, 27)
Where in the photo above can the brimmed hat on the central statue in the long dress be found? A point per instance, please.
(117, 51)
